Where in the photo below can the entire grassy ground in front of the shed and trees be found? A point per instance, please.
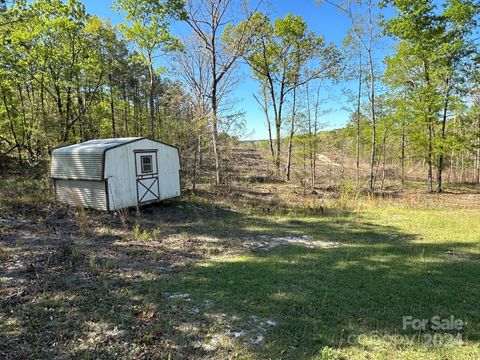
(197, 278)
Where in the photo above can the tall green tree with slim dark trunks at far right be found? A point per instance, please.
(430, 59)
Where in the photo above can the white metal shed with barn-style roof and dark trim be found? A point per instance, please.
(110, 174)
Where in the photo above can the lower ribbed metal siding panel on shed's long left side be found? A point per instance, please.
(90, 193)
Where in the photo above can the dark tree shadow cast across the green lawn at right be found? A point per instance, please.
(318, 297)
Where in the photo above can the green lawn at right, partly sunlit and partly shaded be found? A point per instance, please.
(395, 262)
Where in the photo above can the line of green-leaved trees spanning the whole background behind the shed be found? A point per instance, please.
(68, 76)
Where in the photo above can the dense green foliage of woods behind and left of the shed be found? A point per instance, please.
(67, 76)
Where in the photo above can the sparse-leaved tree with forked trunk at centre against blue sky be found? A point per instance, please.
(281, 61)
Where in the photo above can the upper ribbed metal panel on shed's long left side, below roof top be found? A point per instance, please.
(81, 166)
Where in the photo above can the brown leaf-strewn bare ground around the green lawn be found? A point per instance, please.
(67, 294)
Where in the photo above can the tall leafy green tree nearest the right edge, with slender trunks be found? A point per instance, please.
(429, 72)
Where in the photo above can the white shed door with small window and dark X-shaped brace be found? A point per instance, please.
(146, 168)
